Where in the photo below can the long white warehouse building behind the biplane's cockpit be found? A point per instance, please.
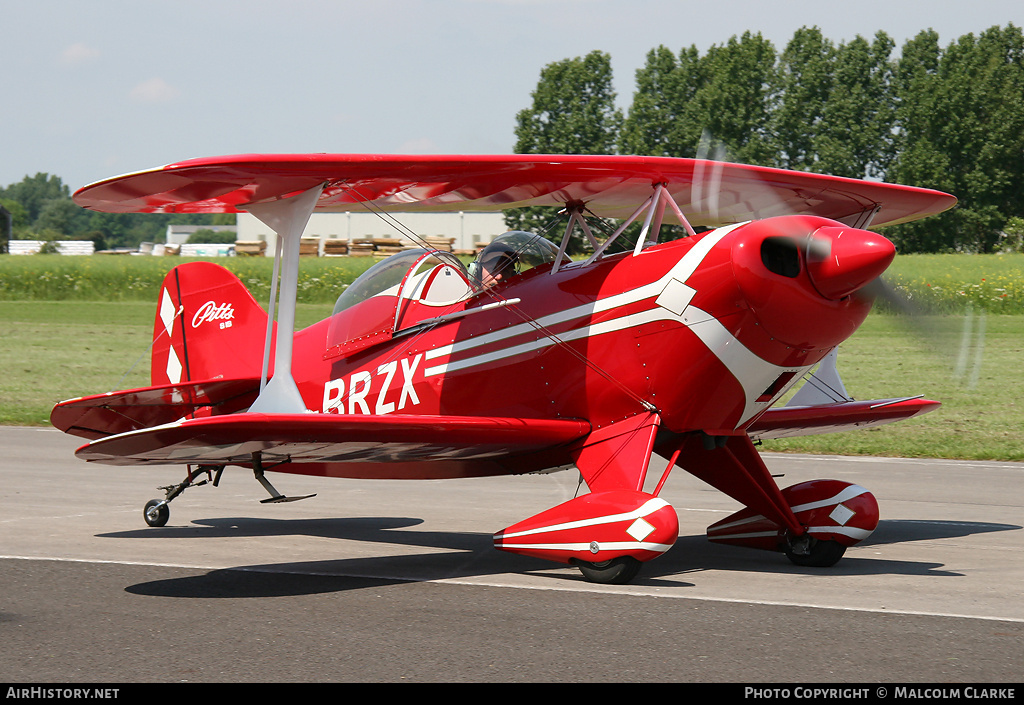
(468, 231)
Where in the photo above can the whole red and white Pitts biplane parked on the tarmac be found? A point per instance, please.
(527, 361)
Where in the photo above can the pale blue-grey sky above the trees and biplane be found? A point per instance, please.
(97, 90)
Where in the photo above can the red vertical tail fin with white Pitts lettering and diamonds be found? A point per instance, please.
(208, 326)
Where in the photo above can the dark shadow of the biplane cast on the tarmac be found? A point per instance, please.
(461, 555)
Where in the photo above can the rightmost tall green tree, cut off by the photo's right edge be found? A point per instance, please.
(961, 129)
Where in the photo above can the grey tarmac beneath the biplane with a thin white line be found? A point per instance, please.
(397, 582)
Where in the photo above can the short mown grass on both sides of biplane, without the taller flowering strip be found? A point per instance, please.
(57, 351)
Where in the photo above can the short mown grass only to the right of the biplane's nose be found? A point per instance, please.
(983, 413)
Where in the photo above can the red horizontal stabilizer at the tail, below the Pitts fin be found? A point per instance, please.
(119, 412)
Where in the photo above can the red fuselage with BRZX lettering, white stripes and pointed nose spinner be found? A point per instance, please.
(709, 331)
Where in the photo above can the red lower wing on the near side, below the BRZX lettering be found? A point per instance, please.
(333, 439)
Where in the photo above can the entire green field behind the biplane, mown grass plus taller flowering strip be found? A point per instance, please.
(75, 326)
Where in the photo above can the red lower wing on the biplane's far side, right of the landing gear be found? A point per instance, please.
(832, 419)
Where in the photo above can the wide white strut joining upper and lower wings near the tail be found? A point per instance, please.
(288, 219)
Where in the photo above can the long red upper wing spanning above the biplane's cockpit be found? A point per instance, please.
(709, 193)
